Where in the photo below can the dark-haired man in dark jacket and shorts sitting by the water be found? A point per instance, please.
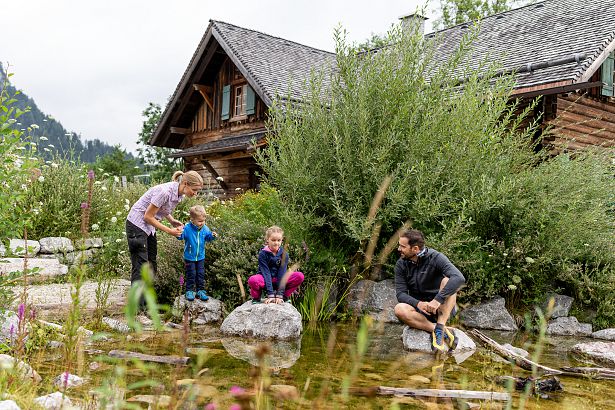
(426, 284)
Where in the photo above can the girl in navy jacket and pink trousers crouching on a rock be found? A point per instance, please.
(272, 264)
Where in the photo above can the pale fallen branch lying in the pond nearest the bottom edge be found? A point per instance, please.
(458, 394)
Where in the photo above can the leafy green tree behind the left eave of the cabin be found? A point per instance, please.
(156, 160)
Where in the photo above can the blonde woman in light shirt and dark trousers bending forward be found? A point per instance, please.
(144, 218)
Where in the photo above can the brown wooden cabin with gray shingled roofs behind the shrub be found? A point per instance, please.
(560, 51)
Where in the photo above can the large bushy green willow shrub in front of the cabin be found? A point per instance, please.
(462, 170)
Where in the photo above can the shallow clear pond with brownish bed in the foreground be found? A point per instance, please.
(317, 366)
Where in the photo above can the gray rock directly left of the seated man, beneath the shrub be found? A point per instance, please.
(374, 298)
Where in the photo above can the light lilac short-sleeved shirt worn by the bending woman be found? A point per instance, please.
(164, 196)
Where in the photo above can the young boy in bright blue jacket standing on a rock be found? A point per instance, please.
(195, 235)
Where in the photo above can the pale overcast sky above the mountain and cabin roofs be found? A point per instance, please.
(95, 65)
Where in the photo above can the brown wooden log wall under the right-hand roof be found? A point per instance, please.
(582, 122)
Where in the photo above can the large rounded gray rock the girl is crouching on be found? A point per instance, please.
(265, 321)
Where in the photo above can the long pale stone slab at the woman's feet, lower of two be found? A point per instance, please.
(54, 300)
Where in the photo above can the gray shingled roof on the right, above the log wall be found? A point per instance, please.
(543, 31)
